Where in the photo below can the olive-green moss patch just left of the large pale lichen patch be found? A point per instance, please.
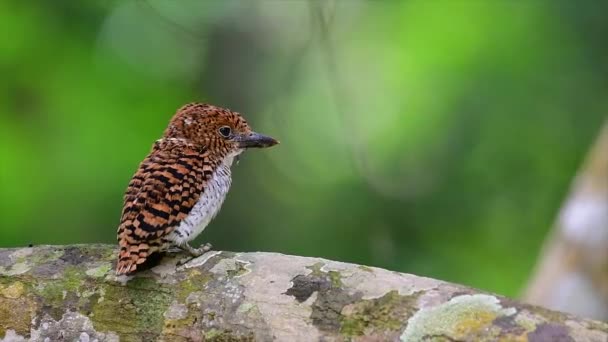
(387, 313)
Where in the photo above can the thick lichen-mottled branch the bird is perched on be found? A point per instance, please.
(70, 293)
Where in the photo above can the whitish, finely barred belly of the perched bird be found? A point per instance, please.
(206, 208)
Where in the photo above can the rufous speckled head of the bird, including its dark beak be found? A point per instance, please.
(215, 128)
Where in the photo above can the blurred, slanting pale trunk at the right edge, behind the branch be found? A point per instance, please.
(572, 273)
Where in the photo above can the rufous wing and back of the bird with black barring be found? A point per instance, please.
(160, 195)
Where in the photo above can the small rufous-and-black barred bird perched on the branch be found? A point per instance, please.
(181, 185)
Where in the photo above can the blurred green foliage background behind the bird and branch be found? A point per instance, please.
(437, 138)
